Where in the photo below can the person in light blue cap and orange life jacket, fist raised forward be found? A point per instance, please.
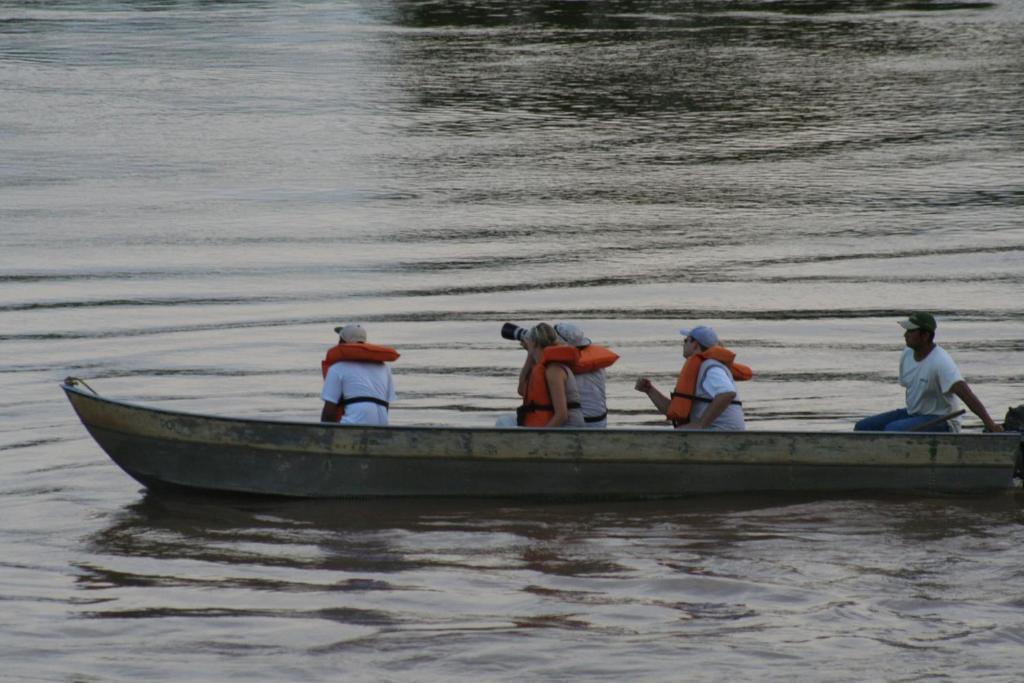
(706, 396)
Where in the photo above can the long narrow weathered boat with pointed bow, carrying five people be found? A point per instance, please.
(169, 449)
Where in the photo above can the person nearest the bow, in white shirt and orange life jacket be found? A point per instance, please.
(358, 386)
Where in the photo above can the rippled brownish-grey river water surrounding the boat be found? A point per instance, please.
(194, 194)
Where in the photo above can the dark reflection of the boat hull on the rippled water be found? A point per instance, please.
(388, 537)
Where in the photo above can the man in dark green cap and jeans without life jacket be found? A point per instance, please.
(933, 385)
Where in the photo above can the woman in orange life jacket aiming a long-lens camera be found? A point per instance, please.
(550, 395)
